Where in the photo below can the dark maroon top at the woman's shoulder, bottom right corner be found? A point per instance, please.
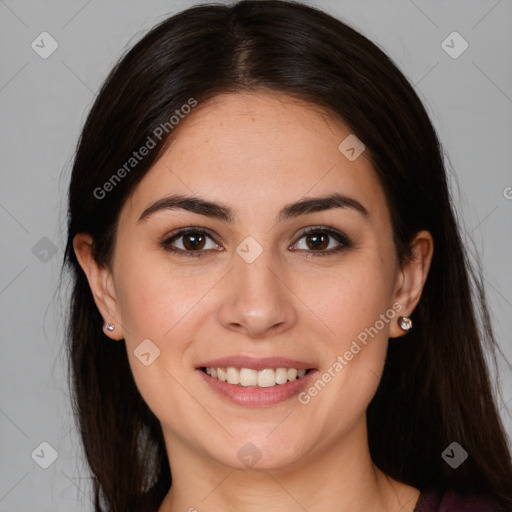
(436, 501)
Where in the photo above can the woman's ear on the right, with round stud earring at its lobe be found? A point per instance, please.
(412, 277)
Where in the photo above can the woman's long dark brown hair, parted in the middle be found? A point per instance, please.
(435, 388)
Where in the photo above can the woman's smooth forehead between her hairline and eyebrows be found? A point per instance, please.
(256, 152)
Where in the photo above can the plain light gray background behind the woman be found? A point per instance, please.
(43, 104)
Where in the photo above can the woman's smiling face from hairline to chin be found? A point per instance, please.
(258, 299)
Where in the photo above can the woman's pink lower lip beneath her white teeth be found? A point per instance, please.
(256, 396)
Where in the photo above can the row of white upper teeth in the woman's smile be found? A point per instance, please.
(248, 377)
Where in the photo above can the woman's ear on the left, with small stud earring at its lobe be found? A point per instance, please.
(101, 283)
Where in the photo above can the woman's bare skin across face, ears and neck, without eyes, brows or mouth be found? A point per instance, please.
(257, 152)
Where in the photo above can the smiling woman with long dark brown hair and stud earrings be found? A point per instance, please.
(258, 215)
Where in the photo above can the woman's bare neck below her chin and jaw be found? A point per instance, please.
(342, 478)
